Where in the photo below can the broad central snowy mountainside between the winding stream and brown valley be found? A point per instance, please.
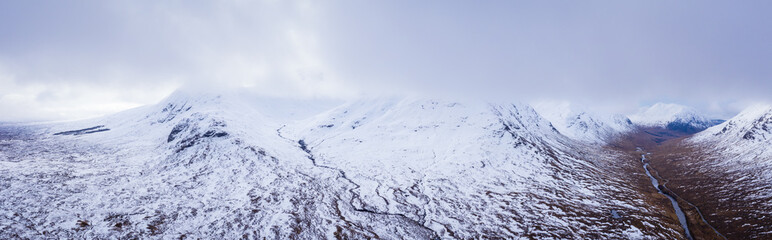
(466, 168)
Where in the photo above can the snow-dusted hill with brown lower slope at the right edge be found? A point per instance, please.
(734, 172)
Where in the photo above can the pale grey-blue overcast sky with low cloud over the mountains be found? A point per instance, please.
(75, 59)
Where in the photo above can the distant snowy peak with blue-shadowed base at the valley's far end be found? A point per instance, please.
(674, 117)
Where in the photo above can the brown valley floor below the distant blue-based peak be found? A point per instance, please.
(689, 176)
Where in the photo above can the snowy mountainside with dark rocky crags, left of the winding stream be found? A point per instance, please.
(193, 166)
